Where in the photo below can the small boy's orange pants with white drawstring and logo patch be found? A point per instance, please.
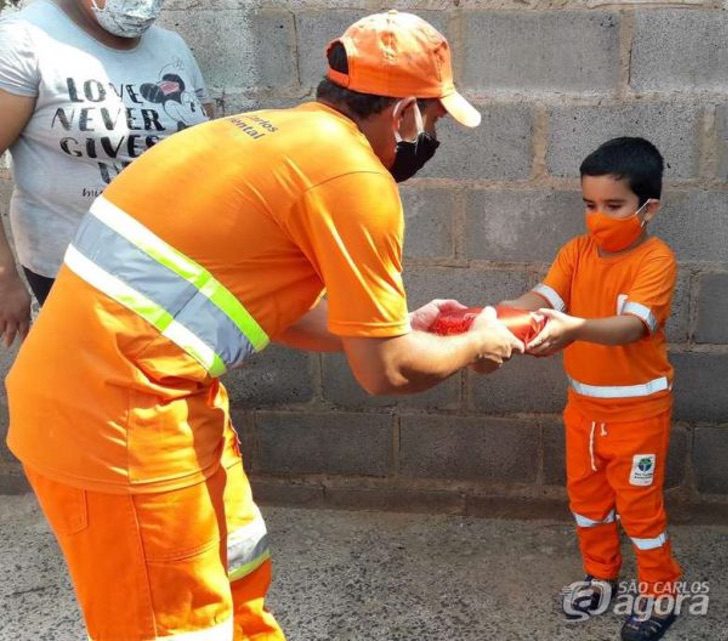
(617, 471)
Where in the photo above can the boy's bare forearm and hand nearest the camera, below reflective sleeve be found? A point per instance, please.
(562, 330)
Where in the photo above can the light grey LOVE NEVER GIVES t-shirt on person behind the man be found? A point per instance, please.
(97, 109)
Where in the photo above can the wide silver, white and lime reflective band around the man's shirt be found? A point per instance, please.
(120, 257)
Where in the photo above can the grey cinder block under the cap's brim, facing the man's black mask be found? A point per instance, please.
(499, 149)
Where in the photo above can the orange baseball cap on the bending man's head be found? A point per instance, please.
(399, 55)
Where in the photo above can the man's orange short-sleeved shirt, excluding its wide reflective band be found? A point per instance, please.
(274, 204)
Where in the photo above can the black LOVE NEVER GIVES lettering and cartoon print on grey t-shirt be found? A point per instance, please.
(114, 123)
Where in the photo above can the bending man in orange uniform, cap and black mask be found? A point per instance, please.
(215, 242)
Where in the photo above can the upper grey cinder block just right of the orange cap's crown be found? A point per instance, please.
(553, 51)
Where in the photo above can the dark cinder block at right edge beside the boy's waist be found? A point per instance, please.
(700, 387)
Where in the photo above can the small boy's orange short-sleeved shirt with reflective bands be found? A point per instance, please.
(639, 282)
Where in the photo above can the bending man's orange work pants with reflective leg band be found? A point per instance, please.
(185, 565)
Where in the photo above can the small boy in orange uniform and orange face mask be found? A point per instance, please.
(617, 285)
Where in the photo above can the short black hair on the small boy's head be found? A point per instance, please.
(634, 159)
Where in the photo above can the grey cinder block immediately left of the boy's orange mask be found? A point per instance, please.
(528, 226)
